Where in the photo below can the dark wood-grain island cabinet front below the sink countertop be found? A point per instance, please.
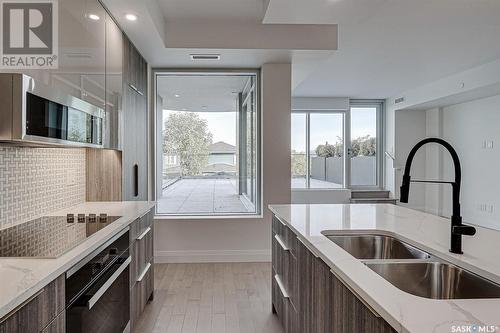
(308, 297)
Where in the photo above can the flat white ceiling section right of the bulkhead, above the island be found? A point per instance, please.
(389, 46)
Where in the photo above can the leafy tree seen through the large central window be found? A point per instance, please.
(186, 135)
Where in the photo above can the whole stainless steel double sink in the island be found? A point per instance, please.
(413, 270)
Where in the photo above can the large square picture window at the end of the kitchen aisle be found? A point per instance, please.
(207, 144)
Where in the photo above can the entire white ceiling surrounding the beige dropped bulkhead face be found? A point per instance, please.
(385, 46)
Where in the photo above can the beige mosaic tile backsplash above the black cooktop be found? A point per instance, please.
(37, 181)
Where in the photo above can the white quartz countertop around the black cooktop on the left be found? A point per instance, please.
(21, 278)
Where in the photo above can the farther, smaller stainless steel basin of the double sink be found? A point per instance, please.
(370, 246)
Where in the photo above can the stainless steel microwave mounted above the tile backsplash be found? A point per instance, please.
(34, 113)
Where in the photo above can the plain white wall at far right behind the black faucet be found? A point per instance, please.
(467, 126)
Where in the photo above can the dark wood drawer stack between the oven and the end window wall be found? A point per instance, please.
(141, 269)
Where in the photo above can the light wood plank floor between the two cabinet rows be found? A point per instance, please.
(212, 298)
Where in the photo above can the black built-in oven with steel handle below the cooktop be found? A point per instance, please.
(98, 290)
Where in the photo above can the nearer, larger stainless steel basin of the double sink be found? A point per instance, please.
(437, 280)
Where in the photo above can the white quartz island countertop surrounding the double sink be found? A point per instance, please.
(405, 312)
